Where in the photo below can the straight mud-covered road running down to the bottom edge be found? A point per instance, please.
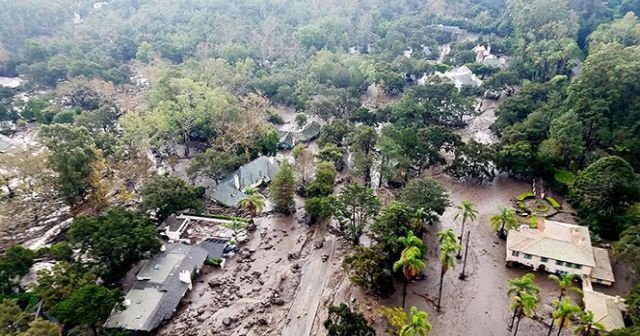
(315, 274)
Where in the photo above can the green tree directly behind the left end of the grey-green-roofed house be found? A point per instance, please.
(214, 164)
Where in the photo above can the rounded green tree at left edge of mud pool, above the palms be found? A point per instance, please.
(425, 193)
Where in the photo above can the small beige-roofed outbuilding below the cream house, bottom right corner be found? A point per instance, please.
(607, 310)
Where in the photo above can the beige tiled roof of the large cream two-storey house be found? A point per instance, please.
(555, 240)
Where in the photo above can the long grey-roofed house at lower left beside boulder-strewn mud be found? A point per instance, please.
(160, 286)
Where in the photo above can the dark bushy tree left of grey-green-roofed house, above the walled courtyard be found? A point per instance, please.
(167, 195)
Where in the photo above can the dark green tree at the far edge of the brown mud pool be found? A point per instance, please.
(474, 162)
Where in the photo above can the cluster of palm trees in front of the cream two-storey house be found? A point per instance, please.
(525, 304)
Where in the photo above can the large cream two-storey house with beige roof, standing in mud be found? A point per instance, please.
(558, 247)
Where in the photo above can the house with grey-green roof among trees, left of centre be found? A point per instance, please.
(230, 191)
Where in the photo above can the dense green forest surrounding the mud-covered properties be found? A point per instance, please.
(107, 85)
